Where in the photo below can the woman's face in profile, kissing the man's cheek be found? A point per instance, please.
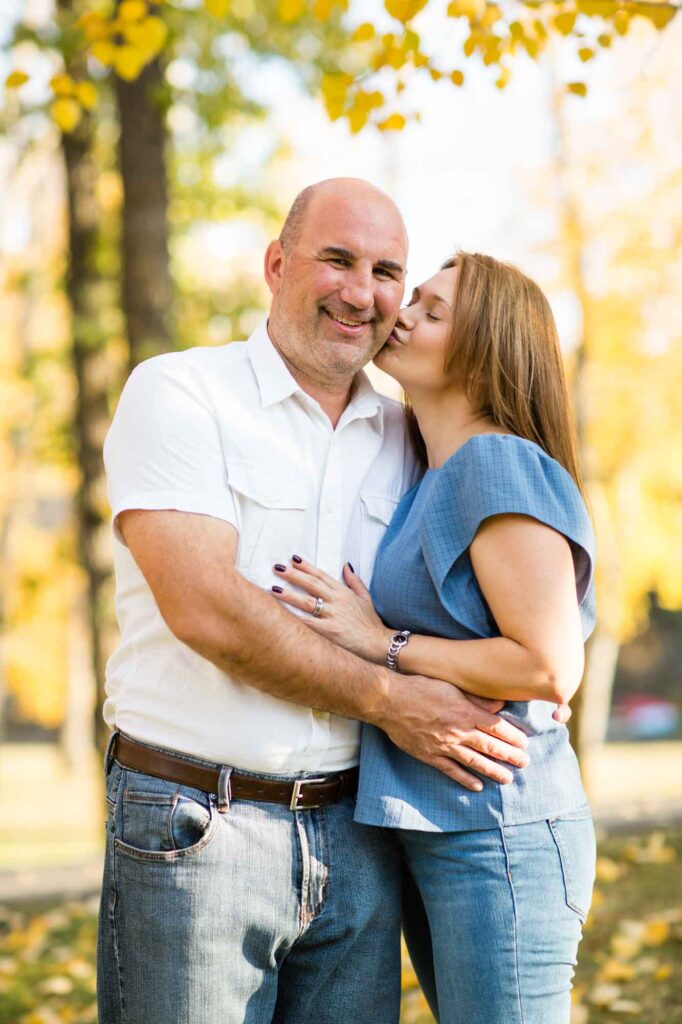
(415, 353)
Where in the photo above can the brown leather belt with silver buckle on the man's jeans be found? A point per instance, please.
(302, 795)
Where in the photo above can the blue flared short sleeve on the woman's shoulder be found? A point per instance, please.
(494, 475)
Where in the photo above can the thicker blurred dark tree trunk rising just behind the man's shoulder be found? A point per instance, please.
(147, 286)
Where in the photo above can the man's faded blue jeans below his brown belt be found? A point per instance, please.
(249, 916)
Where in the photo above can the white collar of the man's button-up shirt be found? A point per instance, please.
(276, 383)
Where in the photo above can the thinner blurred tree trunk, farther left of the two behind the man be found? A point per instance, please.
(92, 413)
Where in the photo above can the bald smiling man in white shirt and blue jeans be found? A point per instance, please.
(234, 891)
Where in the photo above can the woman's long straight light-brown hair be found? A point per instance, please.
(504, 347)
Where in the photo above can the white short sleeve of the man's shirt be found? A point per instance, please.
(163, 450)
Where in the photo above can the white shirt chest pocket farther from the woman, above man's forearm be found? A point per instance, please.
(273, 516)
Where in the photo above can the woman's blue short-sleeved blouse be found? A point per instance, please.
(424, 582)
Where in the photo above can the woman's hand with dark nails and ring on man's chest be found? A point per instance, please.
(348, 616)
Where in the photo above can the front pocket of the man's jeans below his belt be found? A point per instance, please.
(163, 822)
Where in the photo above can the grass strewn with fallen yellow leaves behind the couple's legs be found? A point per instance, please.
(630, 966)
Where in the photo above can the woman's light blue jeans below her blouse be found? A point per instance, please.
(493, 919)
